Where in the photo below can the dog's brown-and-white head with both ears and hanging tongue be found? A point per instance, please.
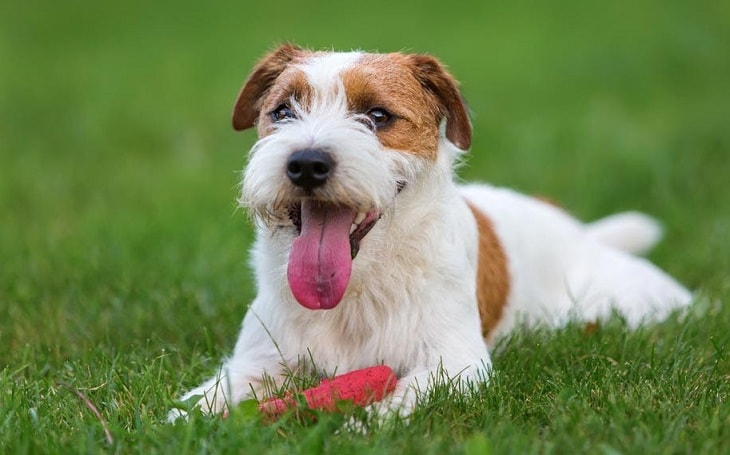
(340, 135)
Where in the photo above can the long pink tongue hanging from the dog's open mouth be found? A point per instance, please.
(320, 261)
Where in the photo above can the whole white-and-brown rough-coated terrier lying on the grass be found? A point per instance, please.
(369, 253)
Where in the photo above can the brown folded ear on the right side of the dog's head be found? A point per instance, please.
(433, 77)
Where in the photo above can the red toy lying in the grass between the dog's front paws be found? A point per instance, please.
(361, 387)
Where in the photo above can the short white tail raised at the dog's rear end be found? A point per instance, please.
(632, 232)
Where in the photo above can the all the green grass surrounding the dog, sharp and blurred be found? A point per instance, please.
(123, 272)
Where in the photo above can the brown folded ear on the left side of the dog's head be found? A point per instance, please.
(248, 103)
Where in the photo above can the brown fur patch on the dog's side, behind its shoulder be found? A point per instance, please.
(492, 274)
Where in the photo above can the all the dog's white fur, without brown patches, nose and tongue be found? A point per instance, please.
(410, 302)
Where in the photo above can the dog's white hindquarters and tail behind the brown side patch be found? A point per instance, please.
(560, 269)
